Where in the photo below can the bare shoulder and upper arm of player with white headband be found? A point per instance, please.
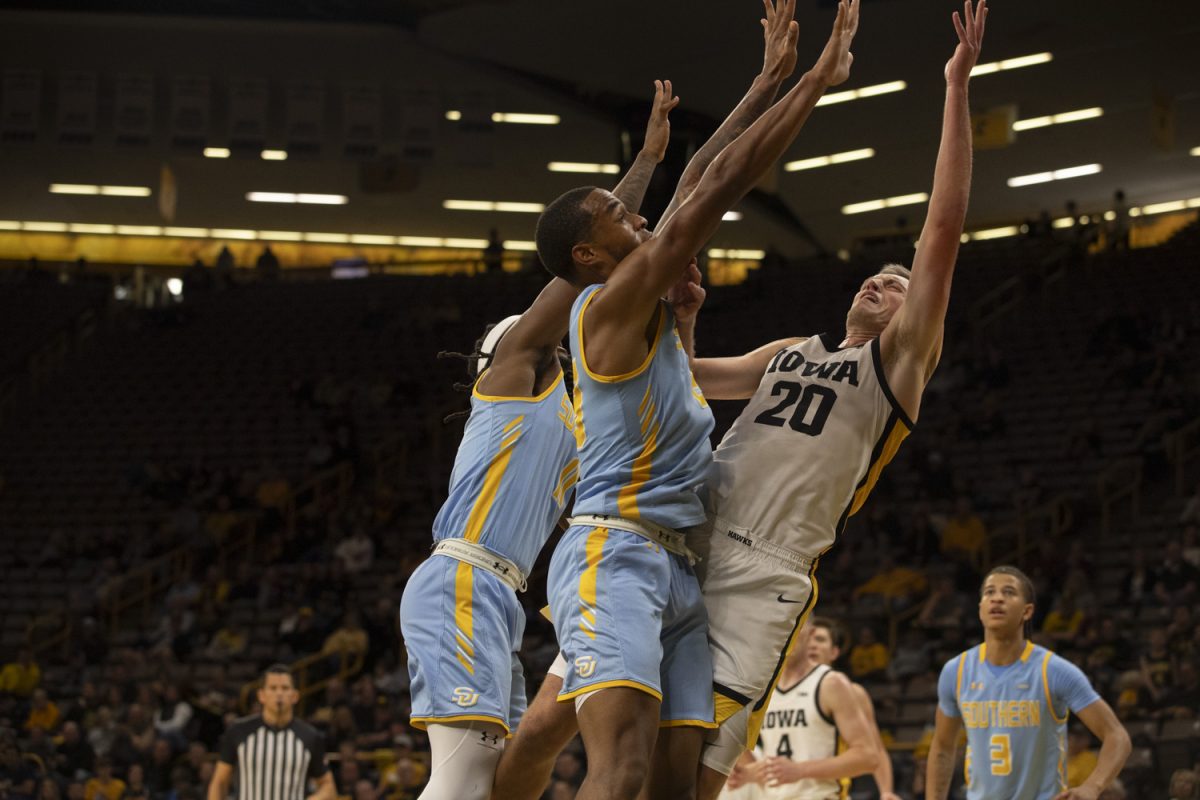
(526, 353)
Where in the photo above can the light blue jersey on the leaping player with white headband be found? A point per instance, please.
(513, 476)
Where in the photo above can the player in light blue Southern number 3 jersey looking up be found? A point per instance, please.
(1015, 699)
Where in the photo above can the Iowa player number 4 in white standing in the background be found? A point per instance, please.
(820, 729)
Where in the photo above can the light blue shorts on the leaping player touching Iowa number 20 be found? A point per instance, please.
(629, 613)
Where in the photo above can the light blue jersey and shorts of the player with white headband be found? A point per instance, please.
(464, 625)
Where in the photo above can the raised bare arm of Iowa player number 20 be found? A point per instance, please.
(911, 345)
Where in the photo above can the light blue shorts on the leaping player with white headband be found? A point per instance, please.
(463, 629)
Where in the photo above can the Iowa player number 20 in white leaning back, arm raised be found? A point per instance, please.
(826, 414)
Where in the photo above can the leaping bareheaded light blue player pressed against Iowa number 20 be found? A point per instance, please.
(625, 599)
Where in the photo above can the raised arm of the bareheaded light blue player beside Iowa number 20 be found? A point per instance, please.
(645, 276)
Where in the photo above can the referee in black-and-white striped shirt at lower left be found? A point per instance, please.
(275, 754)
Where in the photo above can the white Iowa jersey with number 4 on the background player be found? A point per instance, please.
(796, 729)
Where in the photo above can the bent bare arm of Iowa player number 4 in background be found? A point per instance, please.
(860, 756)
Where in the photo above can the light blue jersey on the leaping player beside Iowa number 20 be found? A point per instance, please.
(643, 437)
